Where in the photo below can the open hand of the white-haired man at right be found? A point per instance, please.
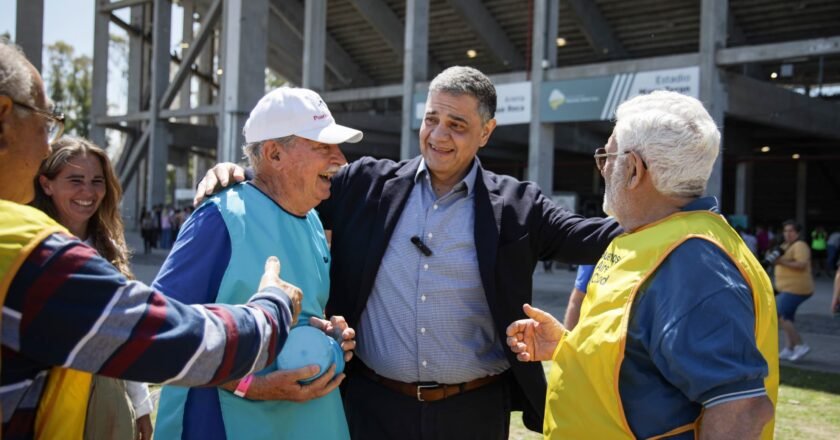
(536, 338)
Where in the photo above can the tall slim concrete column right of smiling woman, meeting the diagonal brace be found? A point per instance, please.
(159, 138)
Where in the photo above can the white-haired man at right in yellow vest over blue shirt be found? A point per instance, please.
(678, 335)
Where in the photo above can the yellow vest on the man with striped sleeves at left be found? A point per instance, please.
(22, 228)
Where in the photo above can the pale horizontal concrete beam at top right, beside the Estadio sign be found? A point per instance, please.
(778, 51)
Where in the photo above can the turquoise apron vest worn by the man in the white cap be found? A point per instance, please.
(259, 228)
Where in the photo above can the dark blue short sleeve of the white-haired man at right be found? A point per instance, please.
(703, 338)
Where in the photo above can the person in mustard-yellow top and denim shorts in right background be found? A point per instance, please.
(795, 285)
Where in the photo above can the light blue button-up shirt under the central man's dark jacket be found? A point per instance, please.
(427, 318)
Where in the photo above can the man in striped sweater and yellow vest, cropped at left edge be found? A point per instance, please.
(65, 306)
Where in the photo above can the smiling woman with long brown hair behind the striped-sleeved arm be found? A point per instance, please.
(78, 188)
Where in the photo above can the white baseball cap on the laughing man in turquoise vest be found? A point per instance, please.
(287, 111)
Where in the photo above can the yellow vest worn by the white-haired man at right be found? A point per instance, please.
(585, 366)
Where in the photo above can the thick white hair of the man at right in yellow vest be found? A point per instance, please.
(674, 135)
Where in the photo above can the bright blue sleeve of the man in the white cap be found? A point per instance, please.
(193, 271)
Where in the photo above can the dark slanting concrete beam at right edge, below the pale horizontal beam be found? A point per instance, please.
(765, 103)
